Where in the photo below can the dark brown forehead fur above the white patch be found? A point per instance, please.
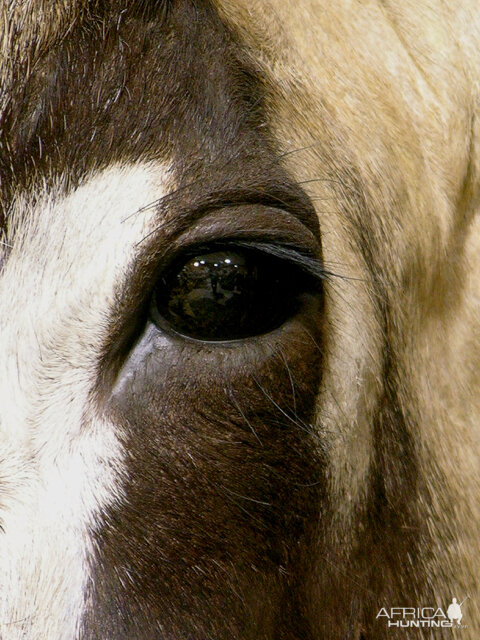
(107, 83)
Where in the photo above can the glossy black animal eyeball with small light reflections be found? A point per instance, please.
(227, 294)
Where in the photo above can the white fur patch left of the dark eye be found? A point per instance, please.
(60, 463)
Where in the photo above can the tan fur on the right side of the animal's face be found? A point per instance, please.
(397, 84)
